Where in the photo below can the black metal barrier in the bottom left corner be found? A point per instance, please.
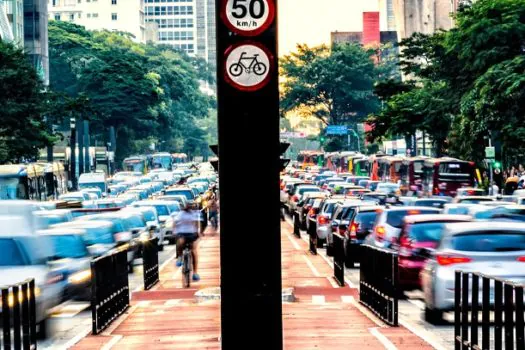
(18, 306)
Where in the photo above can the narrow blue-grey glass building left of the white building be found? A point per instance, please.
(35, 36)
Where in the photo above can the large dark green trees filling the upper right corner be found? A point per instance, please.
(467, 82)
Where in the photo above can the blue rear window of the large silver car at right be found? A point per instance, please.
(490, 241)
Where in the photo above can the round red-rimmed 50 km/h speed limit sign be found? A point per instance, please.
(248, 17)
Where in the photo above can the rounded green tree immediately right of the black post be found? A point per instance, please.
(334, 85)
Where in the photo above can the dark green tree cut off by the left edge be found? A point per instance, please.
(23, 103)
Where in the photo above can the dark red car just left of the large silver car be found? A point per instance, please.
(419, 232)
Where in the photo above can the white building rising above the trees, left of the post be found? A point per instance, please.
(114, 15)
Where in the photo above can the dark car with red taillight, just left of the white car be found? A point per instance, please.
(360, 225)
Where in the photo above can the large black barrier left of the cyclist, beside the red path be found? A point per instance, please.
(109, 289)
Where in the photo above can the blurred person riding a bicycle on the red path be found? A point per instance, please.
(186, 228)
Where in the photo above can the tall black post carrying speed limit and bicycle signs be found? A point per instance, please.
(248, 98)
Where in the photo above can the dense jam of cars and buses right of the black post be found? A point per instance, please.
(429, 211)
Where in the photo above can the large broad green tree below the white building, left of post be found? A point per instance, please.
(144, 91)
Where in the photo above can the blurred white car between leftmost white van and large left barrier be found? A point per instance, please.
(73, 259)
